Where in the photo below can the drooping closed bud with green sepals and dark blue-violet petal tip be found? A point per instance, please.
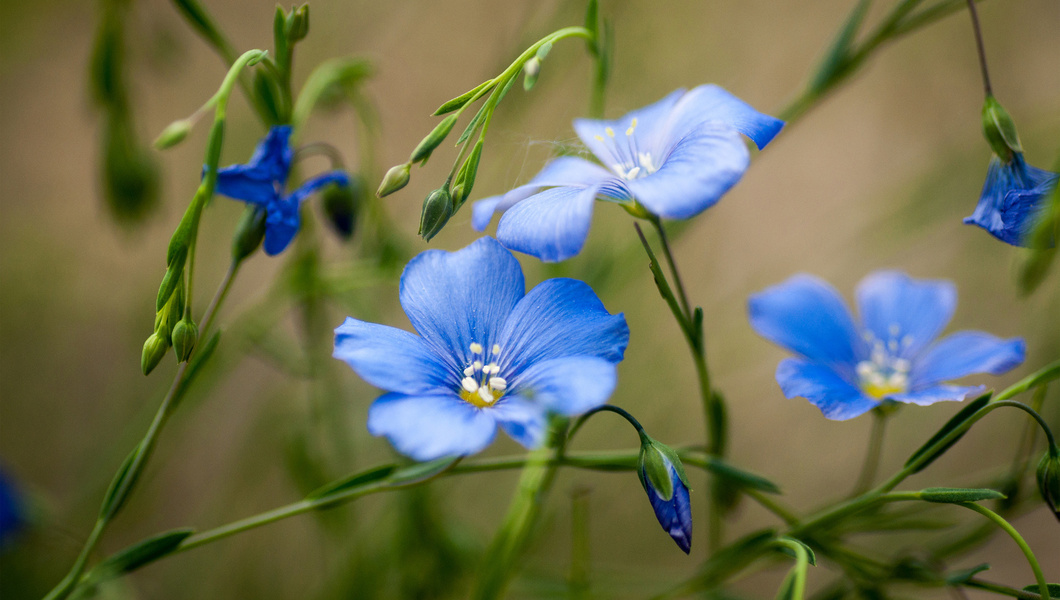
(664, 480)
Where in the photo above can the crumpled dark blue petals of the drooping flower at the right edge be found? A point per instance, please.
(1013, 199)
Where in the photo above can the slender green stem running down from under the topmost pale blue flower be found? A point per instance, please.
(692, 325)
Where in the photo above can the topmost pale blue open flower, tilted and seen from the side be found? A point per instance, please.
(674, 160)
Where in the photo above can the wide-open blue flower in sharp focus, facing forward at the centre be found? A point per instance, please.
(488, 355)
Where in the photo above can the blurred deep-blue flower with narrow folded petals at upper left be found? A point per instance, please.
(263, 181)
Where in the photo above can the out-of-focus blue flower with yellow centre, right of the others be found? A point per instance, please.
(846, 368)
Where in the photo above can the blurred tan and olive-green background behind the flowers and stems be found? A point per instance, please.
(878, 175)
